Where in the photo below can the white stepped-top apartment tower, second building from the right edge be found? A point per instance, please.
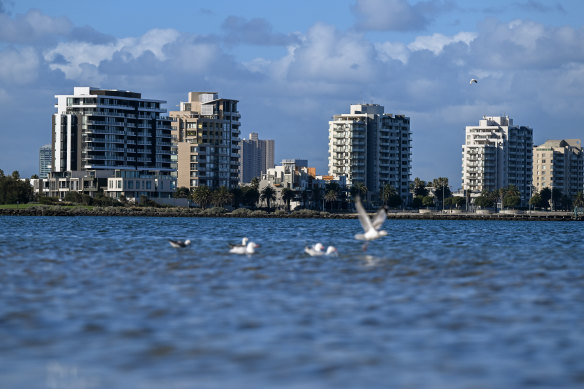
(497, 154)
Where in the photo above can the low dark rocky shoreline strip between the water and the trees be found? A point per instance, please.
(43, 210)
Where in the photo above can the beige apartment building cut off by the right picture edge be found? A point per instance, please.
(559, 164)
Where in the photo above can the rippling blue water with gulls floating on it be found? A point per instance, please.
(102, 302)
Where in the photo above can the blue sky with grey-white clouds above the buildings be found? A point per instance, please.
(294, 64)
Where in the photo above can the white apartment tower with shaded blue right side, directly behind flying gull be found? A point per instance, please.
(371, 147)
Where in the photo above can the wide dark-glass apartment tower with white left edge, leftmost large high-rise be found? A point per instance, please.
(97, 129)
